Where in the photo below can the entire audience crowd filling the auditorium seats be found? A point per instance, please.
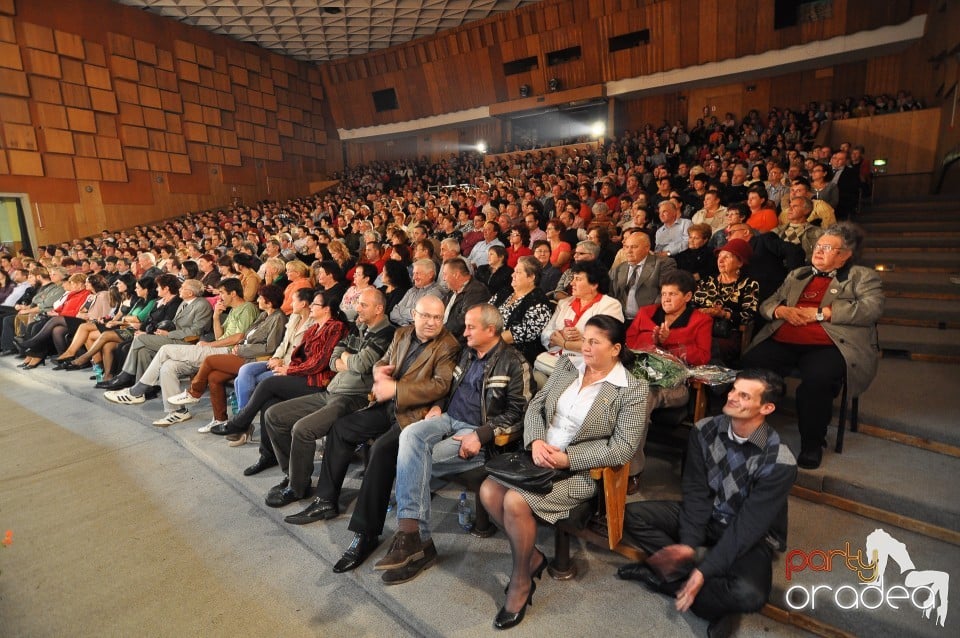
(427, 319)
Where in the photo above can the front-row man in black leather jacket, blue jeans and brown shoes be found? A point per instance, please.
(490, 391)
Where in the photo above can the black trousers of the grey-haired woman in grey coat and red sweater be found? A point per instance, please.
(822, 371)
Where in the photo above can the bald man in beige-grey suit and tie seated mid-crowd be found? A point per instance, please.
(636, 281)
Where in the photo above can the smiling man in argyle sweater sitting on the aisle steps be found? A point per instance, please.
(713, 550)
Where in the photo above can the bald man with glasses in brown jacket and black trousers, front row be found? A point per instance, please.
(411, 377)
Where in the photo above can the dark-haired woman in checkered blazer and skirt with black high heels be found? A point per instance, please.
(586, 416)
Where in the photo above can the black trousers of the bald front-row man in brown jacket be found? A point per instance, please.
(374, 422)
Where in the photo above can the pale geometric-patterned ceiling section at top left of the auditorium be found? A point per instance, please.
(321, 30)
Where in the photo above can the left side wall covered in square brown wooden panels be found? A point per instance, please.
(110, 88)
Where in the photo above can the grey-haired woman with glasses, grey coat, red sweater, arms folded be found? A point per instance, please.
(823, 321)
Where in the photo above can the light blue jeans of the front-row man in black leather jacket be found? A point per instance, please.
(427, 451)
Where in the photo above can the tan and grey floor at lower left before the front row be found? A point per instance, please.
(96, 553)
